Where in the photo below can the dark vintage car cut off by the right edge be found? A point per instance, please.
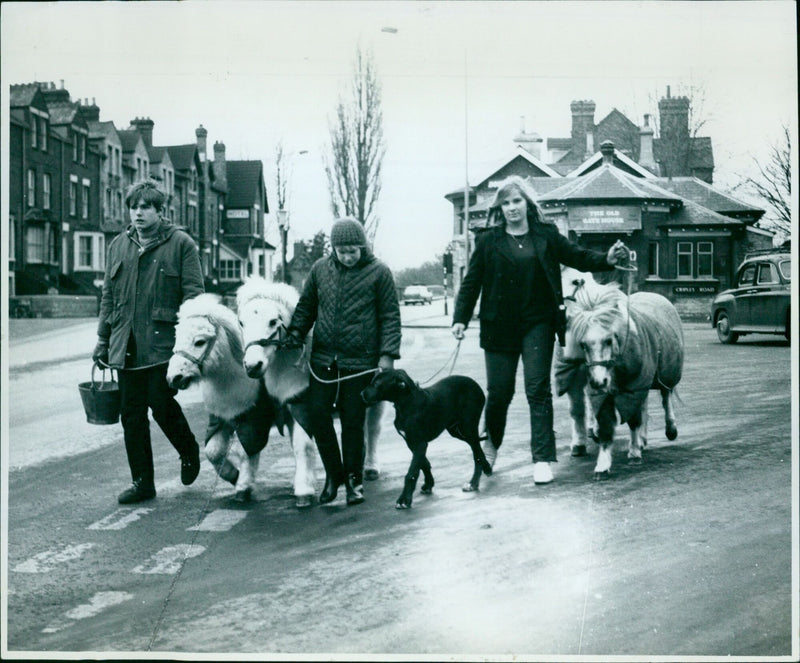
(760, 302)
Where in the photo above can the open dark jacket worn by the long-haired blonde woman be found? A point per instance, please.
(492, 275)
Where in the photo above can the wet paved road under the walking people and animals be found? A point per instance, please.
(686, 554)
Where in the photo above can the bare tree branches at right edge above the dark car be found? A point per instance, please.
(774, 183)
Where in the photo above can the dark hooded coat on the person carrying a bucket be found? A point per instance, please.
(142, 292)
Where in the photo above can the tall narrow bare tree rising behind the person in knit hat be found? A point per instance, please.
(357, 148)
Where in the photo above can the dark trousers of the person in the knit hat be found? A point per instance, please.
(352, 412)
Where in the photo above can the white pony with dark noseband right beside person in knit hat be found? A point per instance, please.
(265, 310)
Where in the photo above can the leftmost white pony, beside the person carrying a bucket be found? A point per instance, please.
(208, 351)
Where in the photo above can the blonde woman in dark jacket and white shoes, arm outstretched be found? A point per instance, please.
(516, 270)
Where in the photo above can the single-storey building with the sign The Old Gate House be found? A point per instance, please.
(688, 238)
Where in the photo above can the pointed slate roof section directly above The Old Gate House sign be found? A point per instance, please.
(608, 182)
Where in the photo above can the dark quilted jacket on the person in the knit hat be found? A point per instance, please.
(354, 311)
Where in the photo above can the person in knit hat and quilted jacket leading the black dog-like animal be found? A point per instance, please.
(351, 301)
